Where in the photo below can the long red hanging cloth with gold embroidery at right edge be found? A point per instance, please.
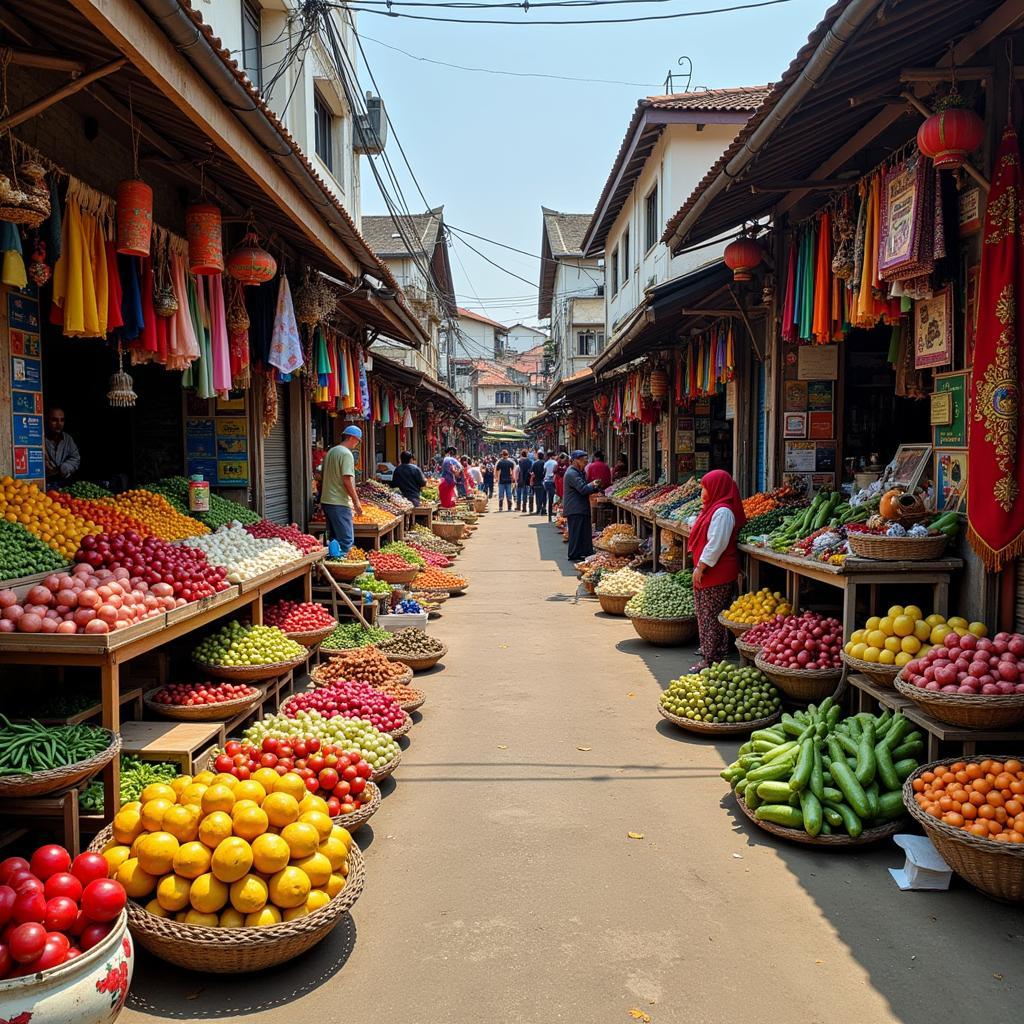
(996, 505)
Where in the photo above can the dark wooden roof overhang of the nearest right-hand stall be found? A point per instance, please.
(840, 109)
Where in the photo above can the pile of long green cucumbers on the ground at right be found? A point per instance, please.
(825, 776)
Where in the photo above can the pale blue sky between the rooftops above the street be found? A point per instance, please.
(494, 149)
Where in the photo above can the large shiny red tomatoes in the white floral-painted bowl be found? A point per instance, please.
(54, 909)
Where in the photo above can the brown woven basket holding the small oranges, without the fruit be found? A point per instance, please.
(995, 869)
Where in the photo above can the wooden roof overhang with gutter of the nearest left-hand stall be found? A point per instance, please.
(203, 124)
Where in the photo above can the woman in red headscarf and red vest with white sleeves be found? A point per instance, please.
(716, 560)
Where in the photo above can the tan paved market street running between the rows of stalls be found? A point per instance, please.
(502, 885)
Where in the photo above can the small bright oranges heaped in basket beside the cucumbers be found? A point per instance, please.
(984, 798)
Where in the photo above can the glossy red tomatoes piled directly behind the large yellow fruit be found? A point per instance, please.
(328, 771)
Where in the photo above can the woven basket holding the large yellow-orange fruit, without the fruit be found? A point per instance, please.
(233, 951)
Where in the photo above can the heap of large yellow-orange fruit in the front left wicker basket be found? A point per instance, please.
(221, 852)
